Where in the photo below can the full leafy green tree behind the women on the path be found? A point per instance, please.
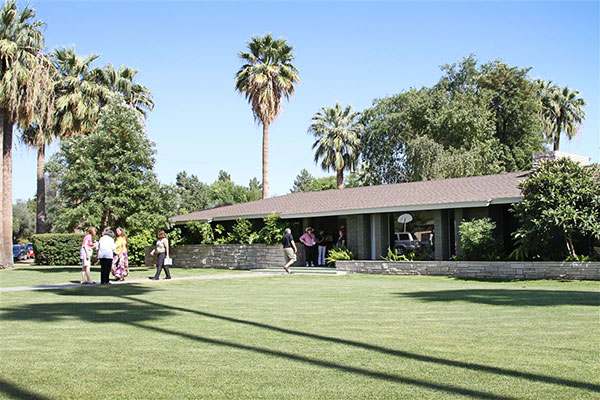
(107, 179)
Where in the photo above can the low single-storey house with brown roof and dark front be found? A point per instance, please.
(369, 214)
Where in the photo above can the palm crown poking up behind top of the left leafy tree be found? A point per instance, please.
(121, 81)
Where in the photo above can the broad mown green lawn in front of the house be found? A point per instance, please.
(303, 337)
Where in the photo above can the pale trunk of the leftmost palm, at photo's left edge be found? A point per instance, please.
(7, 259)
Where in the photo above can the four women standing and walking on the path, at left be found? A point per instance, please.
(112, 254)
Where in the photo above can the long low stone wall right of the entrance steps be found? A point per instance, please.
(470, 269)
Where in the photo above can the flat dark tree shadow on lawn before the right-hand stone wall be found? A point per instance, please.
(511, 297)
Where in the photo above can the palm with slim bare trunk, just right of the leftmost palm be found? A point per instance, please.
(76, 111)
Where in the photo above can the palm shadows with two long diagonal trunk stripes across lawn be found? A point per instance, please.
(144, 311)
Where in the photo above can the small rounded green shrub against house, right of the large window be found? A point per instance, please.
(478, 240)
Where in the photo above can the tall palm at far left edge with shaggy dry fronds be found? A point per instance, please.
(26, 97)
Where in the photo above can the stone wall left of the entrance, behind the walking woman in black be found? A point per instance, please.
(231, 256)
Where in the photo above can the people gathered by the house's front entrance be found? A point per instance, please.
(315, 247)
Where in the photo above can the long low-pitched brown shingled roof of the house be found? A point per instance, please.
(476, 191)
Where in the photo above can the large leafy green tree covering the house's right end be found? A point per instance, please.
(561, 197)
